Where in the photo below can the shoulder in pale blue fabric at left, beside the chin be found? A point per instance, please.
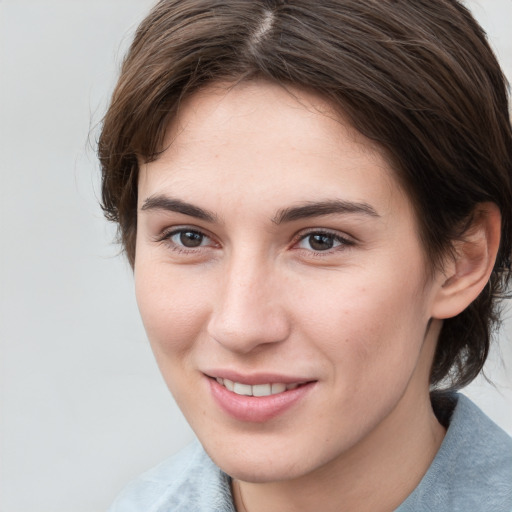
(187, 481)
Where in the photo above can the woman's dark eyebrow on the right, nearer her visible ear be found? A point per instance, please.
(317, 209)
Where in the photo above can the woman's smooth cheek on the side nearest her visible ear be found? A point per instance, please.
(369, 328)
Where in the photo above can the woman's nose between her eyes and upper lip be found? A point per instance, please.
(249, 312)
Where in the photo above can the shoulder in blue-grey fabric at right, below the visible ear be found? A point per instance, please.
(471, 471)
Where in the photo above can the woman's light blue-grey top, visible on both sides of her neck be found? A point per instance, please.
(472, 472)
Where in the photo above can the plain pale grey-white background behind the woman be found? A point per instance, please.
(83, 408)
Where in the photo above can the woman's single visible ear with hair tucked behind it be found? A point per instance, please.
(467, 272)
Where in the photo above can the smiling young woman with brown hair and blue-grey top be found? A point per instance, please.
(315, 198)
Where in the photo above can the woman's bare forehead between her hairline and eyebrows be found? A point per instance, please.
(260, 138)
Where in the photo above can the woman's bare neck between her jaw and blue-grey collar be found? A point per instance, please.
(375, 475)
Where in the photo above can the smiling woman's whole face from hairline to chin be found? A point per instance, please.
(281, 282)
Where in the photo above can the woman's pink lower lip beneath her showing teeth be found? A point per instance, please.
(257, 409)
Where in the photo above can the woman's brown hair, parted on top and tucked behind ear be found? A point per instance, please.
(416, 76)
